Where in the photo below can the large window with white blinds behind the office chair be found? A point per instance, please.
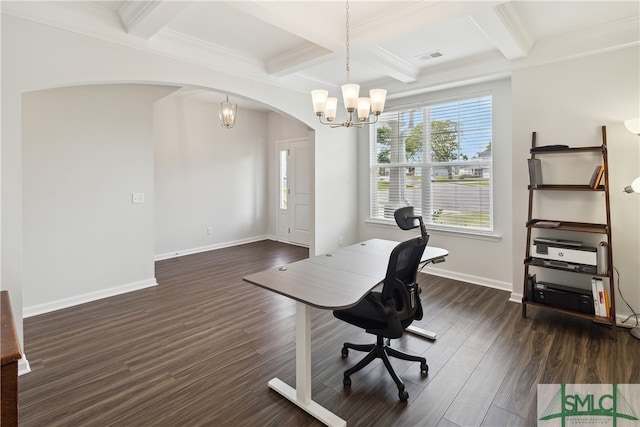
(436, 157)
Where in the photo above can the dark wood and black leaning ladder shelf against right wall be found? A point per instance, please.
(578, 227)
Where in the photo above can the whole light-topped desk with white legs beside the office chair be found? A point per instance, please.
(335, 280)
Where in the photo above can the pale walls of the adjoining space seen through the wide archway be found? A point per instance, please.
(86, 149)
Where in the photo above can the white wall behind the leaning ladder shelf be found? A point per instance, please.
(567, 103)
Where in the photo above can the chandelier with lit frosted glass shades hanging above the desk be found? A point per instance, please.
(325, 106)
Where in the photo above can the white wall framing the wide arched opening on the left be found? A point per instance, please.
(37, 57)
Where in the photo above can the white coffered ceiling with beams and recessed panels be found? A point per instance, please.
(403, 46)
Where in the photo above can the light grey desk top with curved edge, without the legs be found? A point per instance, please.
(338, 279)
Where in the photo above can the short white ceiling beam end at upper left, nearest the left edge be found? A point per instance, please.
(145, 18)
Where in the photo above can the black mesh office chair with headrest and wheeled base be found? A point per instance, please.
(386, 314)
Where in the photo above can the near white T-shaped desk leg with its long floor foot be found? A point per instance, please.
(301, 395)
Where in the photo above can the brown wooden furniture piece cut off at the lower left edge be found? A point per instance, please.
(10, 354)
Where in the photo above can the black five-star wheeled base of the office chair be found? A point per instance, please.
(381, 351)
